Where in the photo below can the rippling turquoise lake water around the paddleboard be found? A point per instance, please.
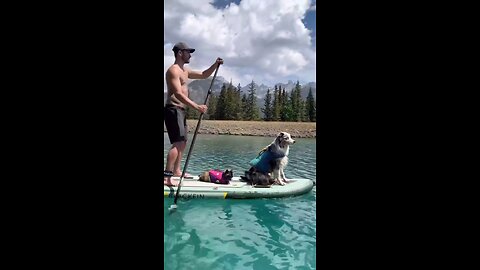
(242, 234)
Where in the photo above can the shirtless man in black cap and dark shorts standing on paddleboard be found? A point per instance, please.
(177, 100)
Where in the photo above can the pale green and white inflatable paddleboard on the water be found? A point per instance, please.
(194, 189)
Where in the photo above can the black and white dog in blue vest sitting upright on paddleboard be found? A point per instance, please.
(272, 159)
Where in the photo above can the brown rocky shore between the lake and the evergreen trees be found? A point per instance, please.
(253, 128)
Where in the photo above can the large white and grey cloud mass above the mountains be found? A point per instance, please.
(264, 41)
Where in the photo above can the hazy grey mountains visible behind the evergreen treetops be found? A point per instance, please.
(198, 89)
